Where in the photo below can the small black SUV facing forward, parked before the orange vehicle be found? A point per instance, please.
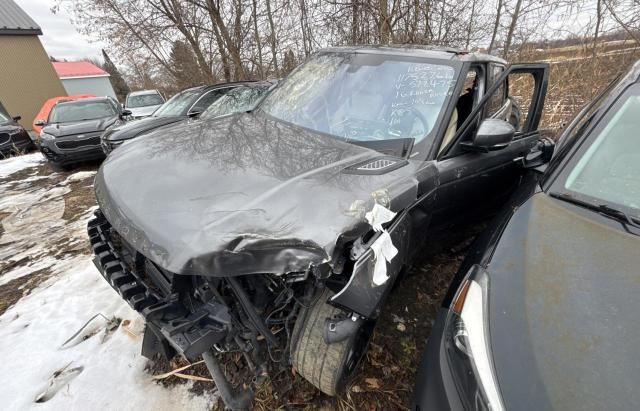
(72, 132)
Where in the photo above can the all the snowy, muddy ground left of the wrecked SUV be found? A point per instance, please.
(101, 368)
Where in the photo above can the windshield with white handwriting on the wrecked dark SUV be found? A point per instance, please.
(364, 97)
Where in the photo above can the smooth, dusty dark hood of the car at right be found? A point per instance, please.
(564, 286)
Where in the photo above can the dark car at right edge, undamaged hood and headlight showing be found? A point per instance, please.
(543, 314)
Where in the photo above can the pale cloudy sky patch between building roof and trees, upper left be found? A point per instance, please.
(60, 38)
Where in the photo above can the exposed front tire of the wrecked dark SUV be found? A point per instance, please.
(329, 367)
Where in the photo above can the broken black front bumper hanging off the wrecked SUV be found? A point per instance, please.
(175, 328)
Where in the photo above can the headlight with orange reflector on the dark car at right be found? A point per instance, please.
(467, 344)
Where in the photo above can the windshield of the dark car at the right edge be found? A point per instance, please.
(606, 170)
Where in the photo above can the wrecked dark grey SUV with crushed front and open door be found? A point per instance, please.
(278, 233)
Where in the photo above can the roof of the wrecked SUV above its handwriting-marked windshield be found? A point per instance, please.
(420, 50)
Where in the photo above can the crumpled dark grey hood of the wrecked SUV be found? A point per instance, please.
(243, 194)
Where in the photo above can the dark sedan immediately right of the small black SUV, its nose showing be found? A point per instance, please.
(189, 103)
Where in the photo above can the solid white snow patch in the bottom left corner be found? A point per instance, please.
(104, 371)
